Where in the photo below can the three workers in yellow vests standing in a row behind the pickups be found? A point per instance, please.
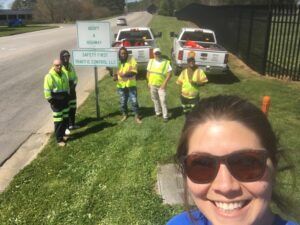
(159, 73)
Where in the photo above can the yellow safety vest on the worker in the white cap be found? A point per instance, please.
(158, 75)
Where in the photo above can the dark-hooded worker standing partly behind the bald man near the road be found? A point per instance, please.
(69, 69)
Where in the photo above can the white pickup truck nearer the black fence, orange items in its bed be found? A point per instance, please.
(210, 56)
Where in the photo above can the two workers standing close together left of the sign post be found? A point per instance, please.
(60, 91)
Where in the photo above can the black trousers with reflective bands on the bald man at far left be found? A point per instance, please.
(60, 110)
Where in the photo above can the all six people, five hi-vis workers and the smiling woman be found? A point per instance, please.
(228, 153)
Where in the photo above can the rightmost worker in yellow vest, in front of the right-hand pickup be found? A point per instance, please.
(190, 79)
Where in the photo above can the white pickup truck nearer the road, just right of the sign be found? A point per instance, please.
(139, 41)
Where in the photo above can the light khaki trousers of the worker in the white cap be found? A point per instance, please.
(158, 97)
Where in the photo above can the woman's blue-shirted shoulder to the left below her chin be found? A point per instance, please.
(185, 219)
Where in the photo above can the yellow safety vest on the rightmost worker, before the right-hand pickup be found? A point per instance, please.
(188, 89)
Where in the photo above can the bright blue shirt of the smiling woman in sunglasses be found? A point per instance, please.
(200, 219)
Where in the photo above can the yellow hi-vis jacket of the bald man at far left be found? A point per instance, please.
(55, 84)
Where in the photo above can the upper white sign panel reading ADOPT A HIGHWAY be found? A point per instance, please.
(93, 34)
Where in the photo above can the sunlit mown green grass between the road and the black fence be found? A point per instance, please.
(107, 173)
